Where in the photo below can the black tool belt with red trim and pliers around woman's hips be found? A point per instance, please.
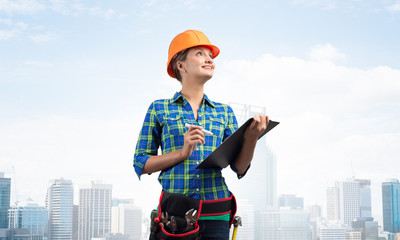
(177, 215)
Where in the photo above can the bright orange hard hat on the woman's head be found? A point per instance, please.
(185, 40)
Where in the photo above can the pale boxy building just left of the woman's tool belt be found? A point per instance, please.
(127, 220)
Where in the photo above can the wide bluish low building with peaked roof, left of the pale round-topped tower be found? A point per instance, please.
(31, 216)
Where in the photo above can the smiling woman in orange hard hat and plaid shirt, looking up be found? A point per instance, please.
(191, 61)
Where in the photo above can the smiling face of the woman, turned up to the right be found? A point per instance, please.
(198, 64)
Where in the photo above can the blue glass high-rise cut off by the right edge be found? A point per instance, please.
(391, 205)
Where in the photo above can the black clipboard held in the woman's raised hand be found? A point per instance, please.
(222, 156)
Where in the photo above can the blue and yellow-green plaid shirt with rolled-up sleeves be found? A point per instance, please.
(164, 125)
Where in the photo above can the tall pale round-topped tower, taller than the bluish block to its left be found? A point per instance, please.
(59, 202)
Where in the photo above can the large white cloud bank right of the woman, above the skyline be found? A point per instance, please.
(330, 115)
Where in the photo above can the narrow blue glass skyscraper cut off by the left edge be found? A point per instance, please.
(5, 193)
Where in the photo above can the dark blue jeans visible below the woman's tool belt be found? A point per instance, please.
(214, 230)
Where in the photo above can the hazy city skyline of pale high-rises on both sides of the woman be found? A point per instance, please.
(289, 220)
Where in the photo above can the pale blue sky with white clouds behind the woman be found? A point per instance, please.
(76, 78)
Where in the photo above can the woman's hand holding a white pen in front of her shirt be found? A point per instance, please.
(193, 136)
